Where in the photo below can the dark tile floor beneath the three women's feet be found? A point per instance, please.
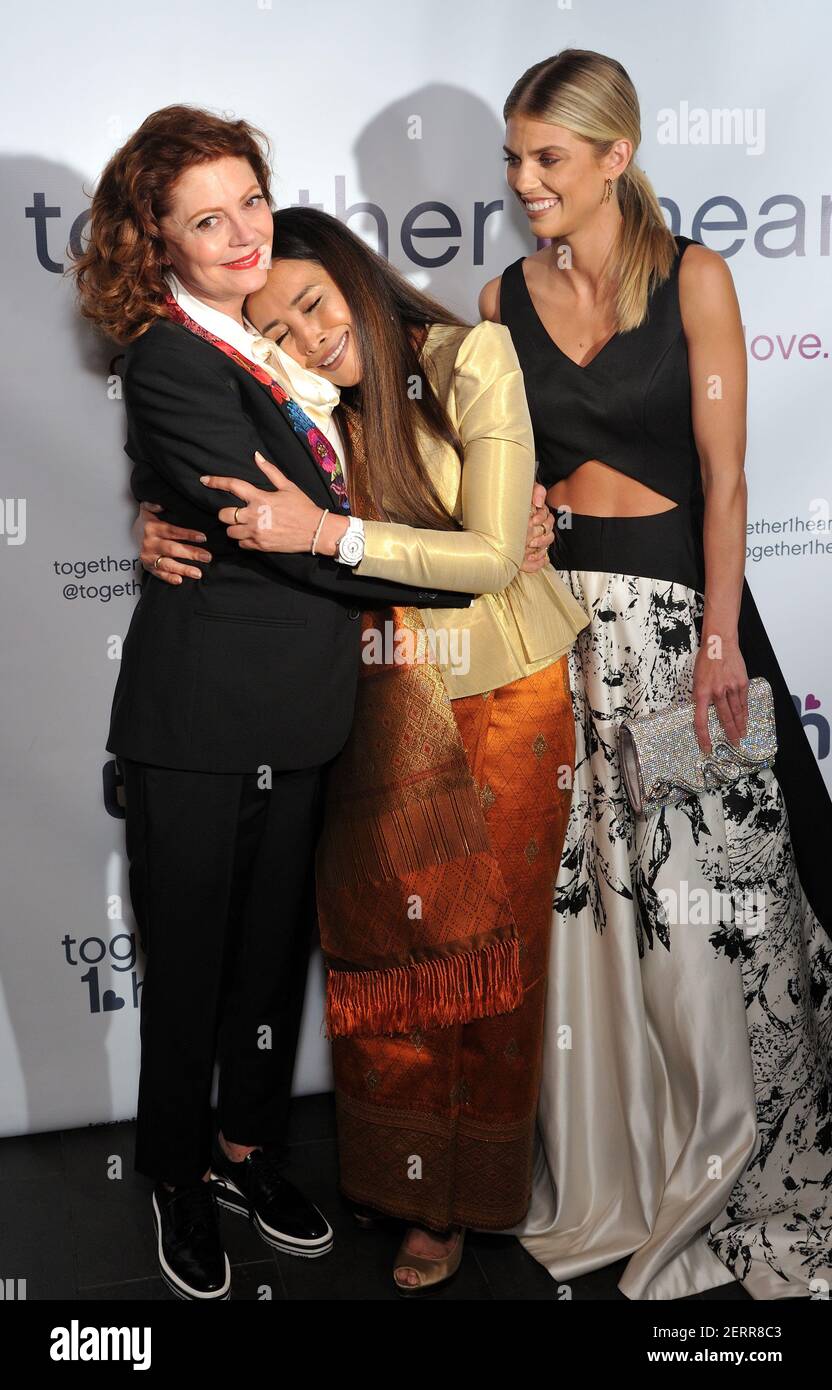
(74, 1232)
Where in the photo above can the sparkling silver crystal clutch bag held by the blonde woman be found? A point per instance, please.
(662, 761)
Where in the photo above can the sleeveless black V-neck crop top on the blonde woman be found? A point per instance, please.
(630, 407)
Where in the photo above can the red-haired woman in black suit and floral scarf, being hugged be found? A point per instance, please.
(233, 696)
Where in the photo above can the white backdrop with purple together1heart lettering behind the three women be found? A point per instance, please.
(338, 88)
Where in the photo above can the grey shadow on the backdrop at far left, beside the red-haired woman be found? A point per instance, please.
(63, 454)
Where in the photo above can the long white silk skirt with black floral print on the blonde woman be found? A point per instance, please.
(685, 1117)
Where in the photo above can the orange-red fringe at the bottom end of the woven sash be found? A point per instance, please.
(431, 995)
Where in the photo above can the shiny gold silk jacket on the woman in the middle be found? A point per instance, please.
(522, 622)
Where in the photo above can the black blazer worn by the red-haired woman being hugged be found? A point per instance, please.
(256, 664)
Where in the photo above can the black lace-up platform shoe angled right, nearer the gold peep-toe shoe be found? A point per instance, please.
(256, 1188)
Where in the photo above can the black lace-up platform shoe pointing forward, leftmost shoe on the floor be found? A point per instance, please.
(191, 1256)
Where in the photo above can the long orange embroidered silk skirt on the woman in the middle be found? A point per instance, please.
(438, 1127)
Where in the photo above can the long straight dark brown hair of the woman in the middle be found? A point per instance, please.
(387, 316)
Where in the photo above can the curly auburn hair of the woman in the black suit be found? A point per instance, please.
(120, 273)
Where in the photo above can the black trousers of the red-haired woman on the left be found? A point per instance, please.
(222, 878)
